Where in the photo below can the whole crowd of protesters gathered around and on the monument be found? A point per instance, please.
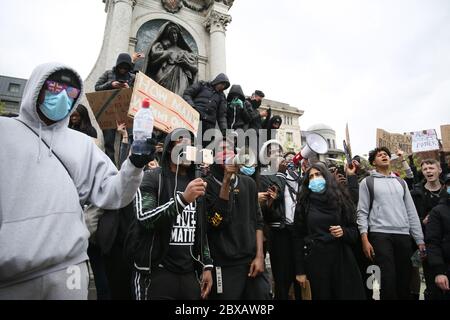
(157, 227)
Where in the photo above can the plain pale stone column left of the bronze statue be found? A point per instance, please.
(119, 33)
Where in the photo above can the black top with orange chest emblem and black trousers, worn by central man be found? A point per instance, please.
(232, 238)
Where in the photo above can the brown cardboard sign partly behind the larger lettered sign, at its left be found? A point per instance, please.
(111, 106)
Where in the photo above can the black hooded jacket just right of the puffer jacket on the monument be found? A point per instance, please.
(237, 117)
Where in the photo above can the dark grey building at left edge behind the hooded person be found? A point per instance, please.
(11, 91)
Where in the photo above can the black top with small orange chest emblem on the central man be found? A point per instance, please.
(233, 223)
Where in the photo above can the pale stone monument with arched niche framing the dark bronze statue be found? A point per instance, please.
(206, 26)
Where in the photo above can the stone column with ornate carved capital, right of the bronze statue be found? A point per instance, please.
(216, 24)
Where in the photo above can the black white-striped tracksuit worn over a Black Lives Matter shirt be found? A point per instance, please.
(162, 218)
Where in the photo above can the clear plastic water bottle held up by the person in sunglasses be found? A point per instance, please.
(142, 129)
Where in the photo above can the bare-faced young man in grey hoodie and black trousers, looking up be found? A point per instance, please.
(387, 218)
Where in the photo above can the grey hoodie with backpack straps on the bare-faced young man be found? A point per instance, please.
(391, 213)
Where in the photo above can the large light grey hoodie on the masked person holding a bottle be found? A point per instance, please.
(42, 228)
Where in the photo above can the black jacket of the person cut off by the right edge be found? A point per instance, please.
(437, 237)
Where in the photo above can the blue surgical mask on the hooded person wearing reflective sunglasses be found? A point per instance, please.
(56, 106)
